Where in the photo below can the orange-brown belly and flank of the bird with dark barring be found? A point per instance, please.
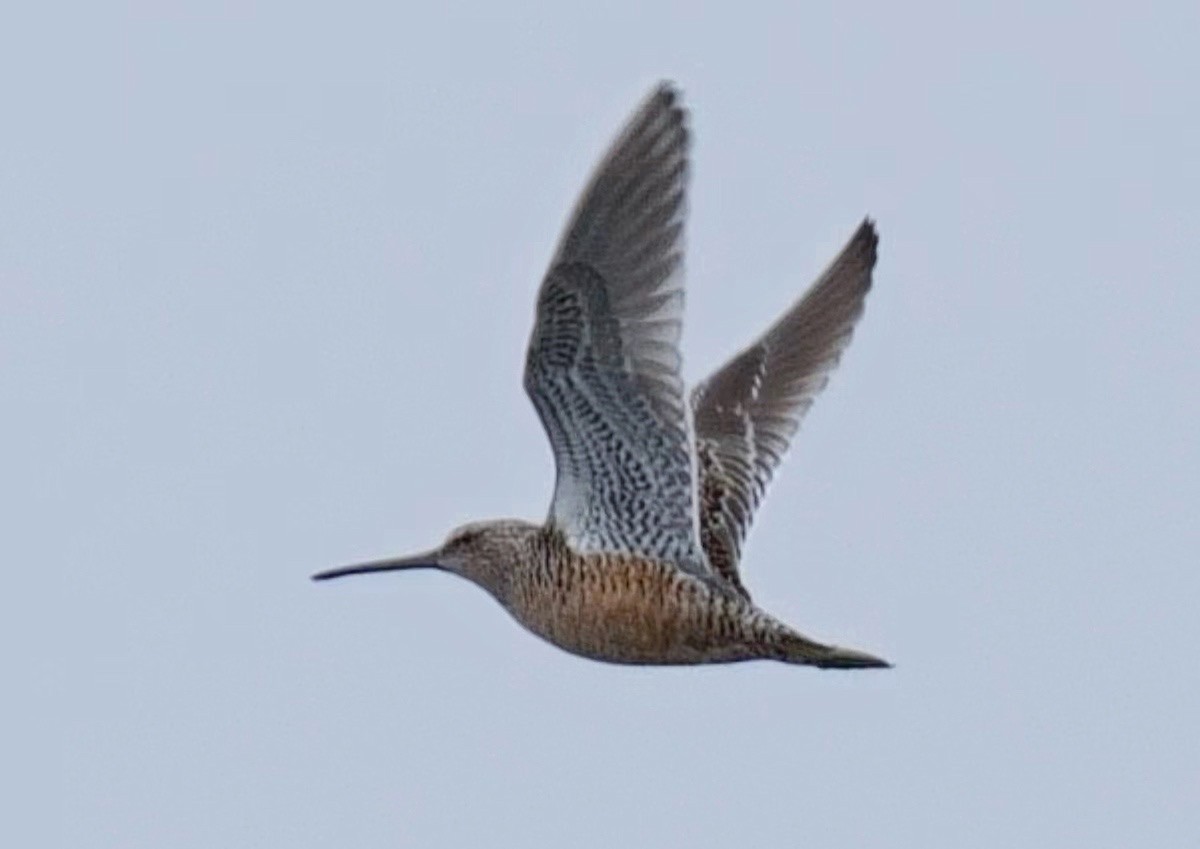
(633, 612)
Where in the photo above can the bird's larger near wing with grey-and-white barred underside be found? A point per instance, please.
(603, 368)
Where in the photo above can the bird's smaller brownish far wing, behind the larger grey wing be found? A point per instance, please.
(747, 413)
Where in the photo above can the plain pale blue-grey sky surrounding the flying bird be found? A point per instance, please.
(266, 284)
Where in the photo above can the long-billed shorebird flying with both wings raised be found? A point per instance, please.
(655, 492)
